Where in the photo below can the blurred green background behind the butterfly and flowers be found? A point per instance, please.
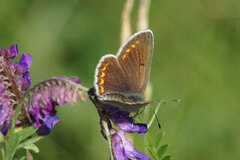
(196, 59)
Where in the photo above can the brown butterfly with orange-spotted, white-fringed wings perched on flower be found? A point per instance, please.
(121, 79)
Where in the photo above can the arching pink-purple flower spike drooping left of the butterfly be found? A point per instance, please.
(47, 95)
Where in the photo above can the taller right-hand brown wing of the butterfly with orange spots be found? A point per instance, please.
(135, 58)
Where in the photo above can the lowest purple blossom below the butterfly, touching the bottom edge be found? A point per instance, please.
(123, 149)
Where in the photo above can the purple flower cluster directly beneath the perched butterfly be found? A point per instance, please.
(122, 148)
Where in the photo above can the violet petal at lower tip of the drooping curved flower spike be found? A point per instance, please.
(49, 123)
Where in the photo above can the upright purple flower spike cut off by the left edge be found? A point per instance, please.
(11, 85)
